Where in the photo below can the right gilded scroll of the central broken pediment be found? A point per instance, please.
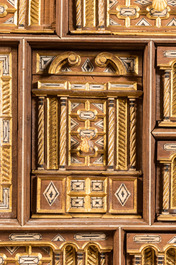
(105, 58)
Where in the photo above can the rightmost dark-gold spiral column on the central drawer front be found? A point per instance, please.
(132, 134)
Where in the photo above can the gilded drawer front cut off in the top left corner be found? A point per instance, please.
(22, 16)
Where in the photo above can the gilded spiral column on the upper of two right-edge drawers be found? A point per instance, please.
(166, 100)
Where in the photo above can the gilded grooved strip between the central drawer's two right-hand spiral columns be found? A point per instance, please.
(122, 134)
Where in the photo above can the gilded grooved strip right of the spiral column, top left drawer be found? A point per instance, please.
(35, 12)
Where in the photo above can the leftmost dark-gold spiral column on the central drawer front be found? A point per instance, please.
(40, 132)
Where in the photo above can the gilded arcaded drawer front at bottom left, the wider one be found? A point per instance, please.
(56, 248)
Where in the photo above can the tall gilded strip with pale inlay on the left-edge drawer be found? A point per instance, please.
(5, 133)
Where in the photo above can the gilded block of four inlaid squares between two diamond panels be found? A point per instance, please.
(86, 195)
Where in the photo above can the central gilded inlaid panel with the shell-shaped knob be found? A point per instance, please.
(87, 133)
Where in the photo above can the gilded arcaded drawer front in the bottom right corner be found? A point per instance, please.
(151, 248)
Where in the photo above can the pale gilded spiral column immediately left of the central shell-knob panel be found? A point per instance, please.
(63, 122)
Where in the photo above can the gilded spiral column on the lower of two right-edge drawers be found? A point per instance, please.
(166, 180)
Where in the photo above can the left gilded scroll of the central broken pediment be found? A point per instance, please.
(71, 58)
